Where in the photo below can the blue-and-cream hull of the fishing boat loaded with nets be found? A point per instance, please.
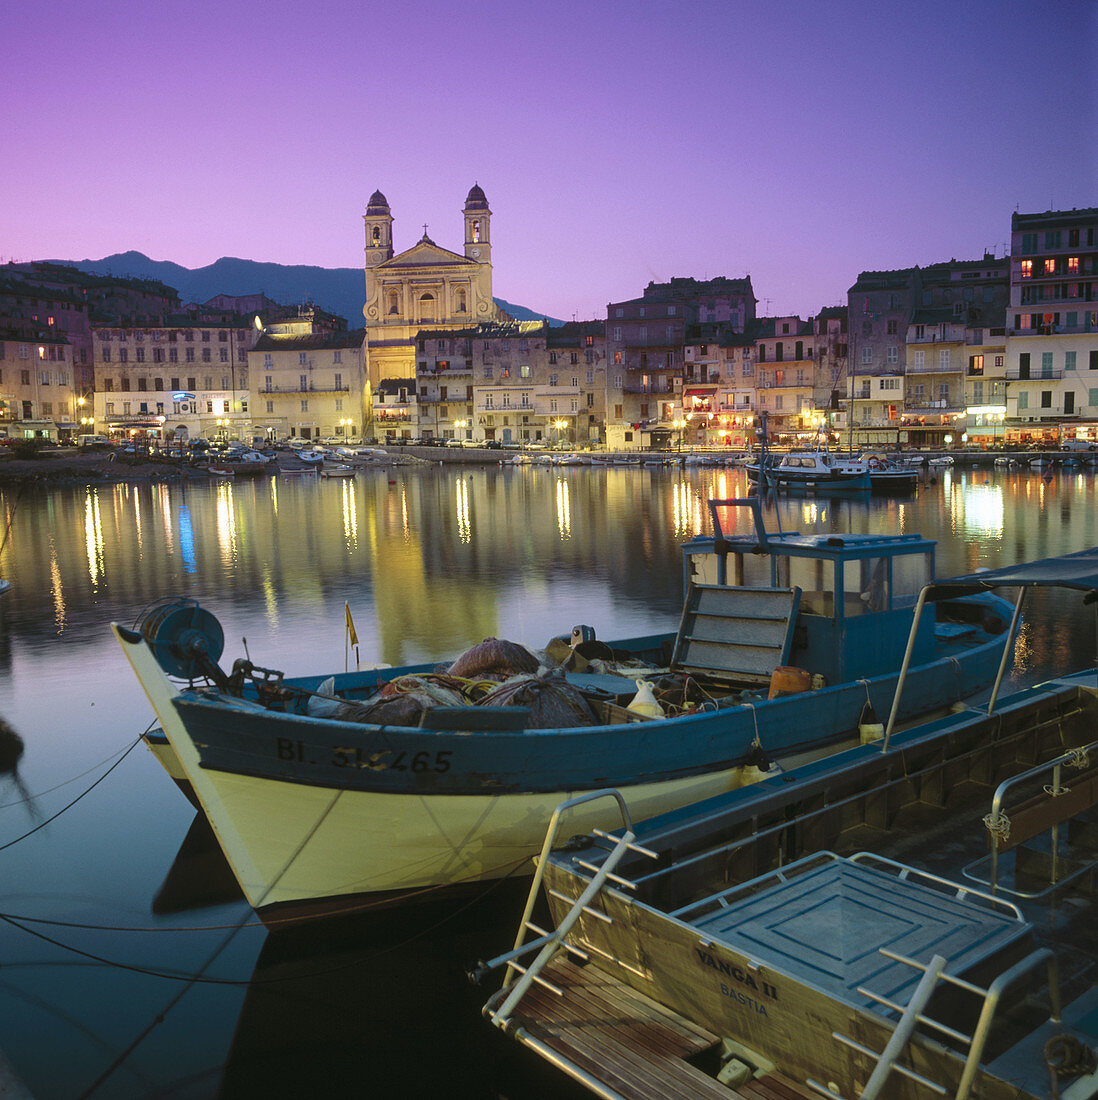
(312, 812)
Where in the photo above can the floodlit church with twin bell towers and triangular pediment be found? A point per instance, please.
(425, 289)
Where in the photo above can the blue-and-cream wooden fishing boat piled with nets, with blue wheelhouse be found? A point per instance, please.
(323, 790)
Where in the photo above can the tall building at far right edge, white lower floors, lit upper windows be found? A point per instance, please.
(1052, 327)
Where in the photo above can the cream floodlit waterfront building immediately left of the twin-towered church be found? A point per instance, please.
(310, 379)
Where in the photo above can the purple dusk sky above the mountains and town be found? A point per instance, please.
(618, 142)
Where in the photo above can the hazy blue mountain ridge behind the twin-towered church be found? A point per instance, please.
(341, 291)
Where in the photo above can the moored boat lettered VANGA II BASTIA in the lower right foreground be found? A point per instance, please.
(914, 917)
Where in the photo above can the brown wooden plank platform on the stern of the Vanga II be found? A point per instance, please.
(629, 1043)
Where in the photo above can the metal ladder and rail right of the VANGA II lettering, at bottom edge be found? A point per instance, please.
(913, 1015)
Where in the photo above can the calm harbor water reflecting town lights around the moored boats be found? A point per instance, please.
(129, 964)
